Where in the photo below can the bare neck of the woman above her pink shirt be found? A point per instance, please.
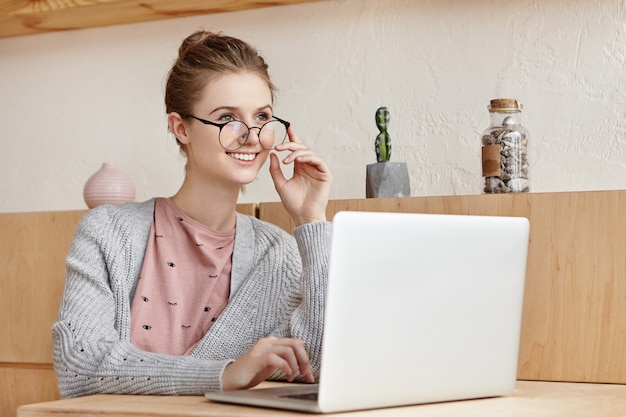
(212, 206)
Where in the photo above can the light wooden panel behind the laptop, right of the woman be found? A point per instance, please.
(574, 323)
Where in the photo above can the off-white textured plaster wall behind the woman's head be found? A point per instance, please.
(72, 100)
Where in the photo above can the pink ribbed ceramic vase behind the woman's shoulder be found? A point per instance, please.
(108, 185)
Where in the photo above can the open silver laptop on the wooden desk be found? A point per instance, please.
(421, 308)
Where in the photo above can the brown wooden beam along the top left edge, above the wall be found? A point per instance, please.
(27, 17)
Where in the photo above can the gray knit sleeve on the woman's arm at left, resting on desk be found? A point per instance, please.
(92, 351)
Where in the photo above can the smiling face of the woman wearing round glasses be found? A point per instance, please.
(242, 96)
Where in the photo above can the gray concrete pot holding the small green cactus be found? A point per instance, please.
(387, 179)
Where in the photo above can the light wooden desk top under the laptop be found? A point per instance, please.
(531, 398)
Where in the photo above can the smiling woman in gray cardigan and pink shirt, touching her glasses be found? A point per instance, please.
(184, 295)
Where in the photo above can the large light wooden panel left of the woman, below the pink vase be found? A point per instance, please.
(32, 273)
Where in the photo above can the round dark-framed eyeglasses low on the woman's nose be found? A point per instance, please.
(234, 134)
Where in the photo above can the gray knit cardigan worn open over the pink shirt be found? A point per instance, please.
(278, 288)
